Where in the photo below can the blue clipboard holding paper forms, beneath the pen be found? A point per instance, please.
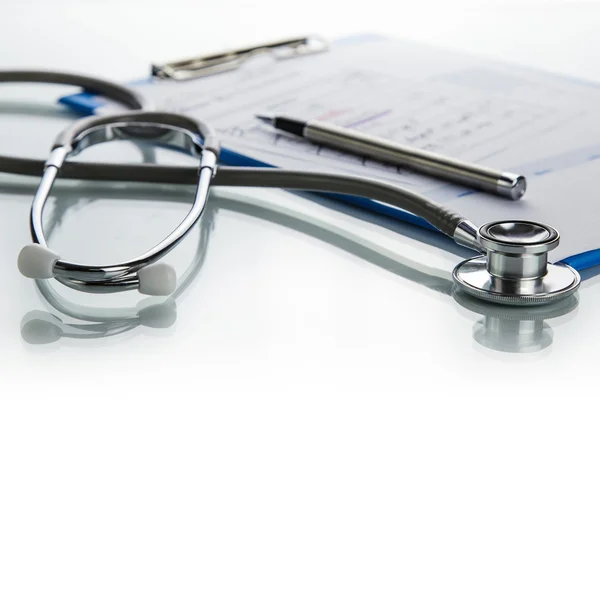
(559, 146)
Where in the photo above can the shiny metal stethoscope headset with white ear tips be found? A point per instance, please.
(143, 272)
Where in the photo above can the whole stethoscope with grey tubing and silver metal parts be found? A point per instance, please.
(513, 268)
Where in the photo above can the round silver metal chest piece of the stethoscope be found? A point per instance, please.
(516, 268)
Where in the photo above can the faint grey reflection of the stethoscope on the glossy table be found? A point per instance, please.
(504, 329)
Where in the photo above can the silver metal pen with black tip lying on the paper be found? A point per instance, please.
(504, 184)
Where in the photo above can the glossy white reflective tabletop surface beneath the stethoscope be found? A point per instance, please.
(313, 416)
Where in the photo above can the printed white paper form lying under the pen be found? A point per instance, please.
(506, 117)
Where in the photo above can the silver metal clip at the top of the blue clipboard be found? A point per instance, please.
(211, 64)
